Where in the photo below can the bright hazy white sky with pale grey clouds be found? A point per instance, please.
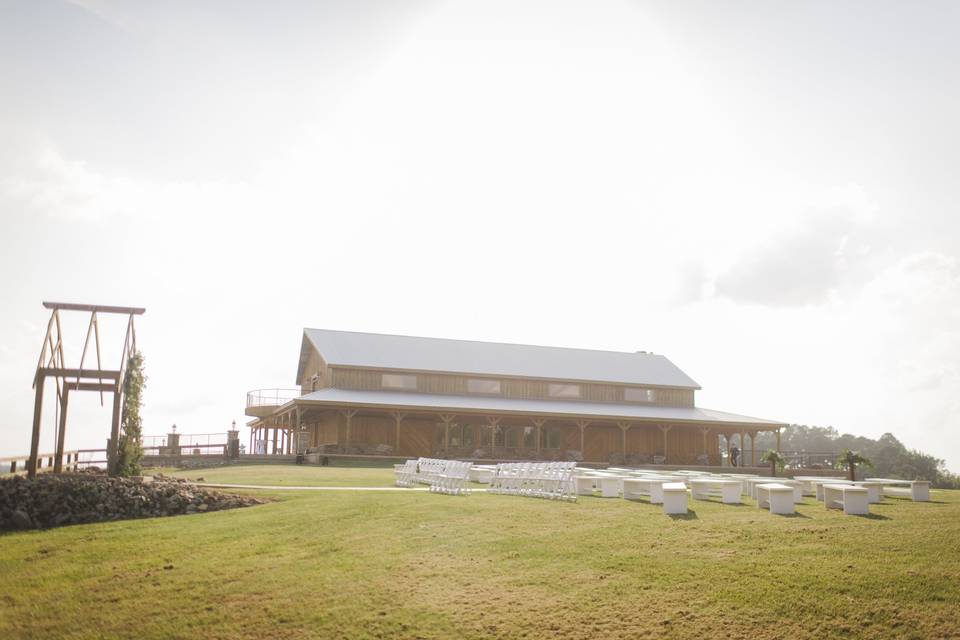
(764, 192)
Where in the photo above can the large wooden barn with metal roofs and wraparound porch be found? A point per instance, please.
(375, 394)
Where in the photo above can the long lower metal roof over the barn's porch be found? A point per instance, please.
(546, 408)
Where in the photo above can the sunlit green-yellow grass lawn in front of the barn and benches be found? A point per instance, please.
(419, 565)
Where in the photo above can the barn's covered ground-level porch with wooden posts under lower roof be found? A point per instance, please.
(407, 430)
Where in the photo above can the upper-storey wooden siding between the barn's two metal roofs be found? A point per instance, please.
(435, 383)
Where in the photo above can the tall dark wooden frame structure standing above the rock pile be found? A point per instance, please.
(52, 364)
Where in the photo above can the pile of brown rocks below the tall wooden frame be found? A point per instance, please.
(52, 500)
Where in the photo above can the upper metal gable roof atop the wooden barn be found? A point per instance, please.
(382, 351)
